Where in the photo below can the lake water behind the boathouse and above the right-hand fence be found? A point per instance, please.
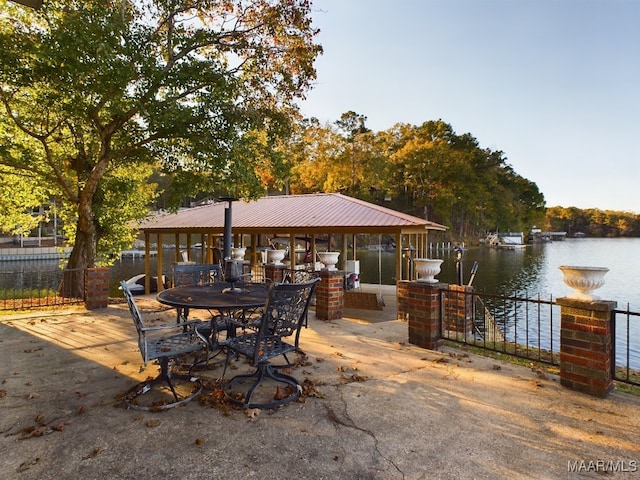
(529, 271)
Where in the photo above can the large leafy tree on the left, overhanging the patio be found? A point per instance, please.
(98, 94)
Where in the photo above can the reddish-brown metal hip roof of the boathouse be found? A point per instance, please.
(313, 213)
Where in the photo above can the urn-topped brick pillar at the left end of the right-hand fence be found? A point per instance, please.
(419, 304)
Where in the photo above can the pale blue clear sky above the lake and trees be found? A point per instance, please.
(553, 84)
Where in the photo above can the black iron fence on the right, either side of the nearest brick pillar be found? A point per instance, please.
(529, 328)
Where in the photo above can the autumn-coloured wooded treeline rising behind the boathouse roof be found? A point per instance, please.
(428, 171)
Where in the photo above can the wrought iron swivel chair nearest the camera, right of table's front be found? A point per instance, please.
(283, 316)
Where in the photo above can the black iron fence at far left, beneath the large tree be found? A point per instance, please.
(33, 285)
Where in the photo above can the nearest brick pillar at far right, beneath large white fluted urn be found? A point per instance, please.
(586, 345)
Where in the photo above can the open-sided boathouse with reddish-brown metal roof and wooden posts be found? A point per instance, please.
(322, 221)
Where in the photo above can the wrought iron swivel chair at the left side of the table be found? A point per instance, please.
(163, 343)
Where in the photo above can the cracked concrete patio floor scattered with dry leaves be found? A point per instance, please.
(383, 410)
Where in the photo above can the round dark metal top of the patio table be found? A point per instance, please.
(216, 296)
